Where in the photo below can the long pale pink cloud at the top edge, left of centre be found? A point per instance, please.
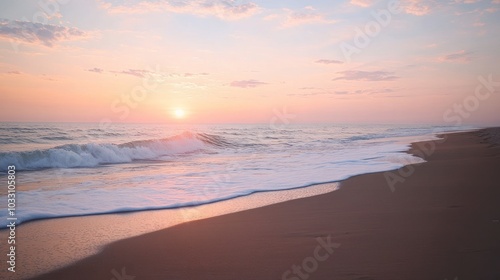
(223, 9)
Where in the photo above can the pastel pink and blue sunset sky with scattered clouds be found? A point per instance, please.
(238, 61)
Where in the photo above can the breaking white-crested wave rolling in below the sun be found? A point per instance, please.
(95, 154)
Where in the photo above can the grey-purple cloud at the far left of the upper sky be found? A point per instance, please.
(36, 33)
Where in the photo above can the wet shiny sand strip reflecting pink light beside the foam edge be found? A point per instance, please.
(45, 242)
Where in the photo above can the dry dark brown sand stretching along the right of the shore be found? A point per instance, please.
(435, 220)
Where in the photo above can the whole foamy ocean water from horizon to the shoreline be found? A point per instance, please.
(79, 169)
